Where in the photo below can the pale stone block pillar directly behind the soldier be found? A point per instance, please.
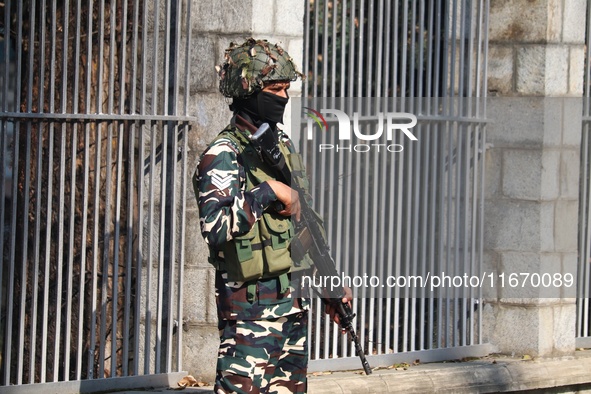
(215, 24)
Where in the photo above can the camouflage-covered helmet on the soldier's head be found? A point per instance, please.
(248, 66)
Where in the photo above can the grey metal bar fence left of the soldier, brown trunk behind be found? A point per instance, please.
(93, 120)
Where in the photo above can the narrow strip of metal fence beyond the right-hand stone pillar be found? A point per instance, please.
(583, 335)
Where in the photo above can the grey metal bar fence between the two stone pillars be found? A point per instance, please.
(415, 213)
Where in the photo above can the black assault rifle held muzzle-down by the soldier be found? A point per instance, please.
(310, 237)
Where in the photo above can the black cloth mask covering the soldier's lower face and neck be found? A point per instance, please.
(263, 107)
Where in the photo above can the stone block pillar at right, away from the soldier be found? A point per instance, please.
(536, 63)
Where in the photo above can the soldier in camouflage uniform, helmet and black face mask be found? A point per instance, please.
(262, 316)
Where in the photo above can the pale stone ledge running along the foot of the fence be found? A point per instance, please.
(491, 374)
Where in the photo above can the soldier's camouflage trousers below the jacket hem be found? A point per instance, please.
(263, 356)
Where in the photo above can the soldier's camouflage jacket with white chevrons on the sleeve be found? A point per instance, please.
(227, 211)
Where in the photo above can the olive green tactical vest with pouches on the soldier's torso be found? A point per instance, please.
(263, 252)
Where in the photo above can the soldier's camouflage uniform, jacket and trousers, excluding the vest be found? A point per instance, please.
(262, 335)
